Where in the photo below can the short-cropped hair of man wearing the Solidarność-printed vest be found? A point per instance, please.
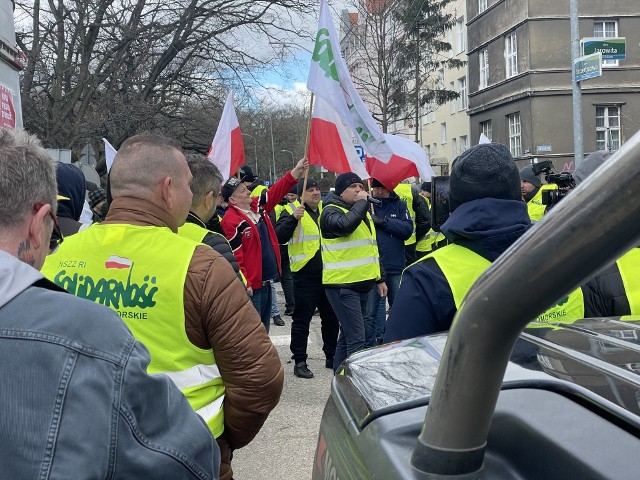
(142, 162)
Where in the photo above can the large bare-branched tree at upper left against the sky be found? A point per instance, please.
(112, 68)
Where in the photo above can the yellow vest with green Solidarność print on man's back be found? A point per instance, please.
(140, 272)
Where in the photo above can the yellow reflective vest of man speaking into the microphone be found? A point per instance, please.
(353, 258)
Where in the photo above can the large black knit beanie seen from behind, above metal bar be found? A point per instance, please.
(484, 171)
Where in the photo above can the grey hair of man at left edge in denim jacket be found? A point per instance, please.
(27, 176)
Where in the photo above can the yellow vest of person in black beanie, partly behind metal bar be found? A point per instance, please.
(462, 267)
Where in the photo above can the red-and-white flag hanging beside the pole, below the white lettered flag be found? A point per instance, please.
(330, 144)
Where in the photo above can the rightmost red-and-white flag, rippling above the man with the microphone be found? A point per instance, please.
(408, 160)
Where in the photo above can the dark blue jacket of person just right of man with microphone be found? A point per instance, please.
(393, 227)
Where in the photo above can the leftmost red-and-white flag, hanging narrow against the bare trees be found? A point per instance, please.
(227, 148)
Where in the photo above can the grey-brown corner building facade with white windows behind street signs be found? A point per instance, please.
(520, 83)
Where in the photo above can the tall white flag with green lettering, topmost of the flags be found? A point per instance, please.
(329, 79)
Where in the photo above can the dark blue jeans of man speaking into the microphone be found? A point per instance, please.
(349, 306)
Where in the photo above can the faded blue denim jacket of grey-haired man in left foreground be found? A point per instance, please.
(76, 399)
